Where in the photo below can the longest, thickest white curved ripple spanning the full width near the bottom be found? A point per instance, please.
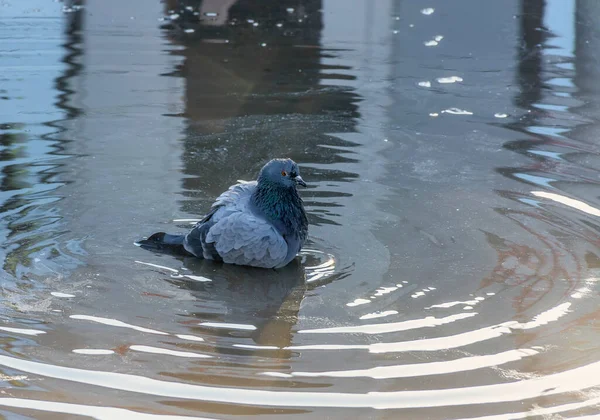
(577, 379)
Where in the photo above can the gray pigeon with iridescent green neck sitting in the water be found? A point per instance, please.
(260, 223)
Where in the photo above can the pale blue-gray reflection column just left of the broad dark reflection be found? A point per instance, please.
(125, 147)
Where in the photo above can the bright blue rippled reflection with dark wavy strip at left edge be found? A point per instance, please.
(31, 136)
